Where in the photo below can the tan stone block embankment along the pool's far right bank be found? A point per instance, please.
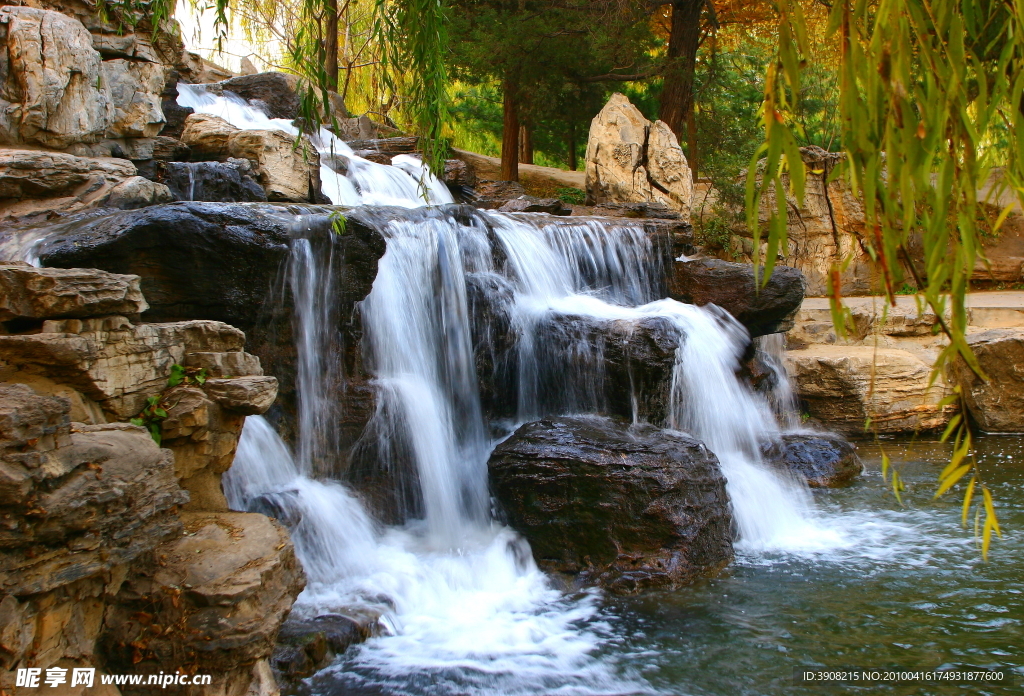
(881, 374)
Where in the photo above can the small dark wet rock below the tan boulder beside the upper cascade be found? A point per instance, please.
(228, 182)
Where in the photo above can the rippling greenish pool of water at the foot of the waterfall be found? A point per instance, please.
(905, 589)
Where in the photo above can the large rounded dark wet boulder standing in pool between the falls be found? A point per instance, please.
(628, 509)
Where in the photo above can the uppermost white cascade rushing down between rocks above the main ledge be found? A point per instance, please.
(346, 179)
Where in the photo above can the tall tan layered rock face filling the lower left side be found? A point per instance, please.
(93, 558)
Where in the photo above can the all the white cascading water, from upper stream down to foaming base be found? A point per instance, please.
(467, 611)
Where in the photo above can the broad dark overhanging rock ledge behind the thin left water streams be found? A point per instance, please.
(223, 263)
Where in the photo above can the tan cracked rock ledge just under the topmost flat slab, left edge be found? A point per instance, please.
(113, 362)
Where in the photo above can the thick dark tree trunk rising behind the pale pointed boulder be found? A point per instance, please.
(677, 96)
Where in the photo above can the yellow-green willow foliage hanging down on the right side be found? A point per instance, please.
(931, 105)
